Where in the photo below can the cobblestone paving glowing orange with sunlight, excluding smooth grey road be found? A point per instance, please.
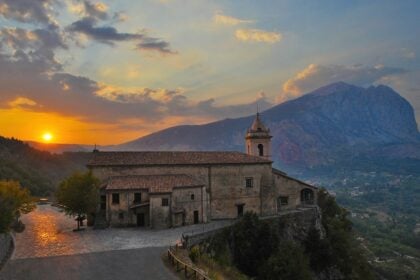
(50, 233)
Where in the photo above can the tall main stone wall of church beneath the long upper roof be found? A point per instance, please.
(225, 184)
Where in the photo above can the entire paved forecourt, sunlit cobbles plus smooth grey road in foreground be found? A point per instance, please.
(49, 249)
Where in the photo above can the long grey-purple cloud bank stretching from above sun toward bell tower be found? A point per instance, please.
(83, 98)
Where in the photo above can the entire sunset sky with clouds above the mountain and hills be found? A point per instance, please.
(111, 71)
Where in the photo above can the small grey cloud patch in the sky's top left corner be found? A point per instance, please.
(34, 11)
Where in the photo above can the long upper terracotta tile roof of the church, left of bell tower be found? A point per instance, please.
(172, 158)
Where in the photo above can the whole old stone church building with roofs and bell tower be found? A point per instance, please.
(169, 189)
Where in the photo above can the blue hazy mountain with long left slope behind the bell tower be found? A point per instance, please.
(321, 127)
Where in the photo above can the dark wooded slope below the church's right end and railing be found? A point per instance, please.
(263, 249)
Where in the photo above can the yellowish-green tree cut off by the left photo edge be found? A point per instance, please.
(14, 201)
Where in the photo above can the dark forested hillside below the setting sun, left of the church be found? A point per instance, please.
(38, 171)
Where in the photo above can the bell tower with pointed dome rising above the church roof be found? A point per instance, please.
(258, 139)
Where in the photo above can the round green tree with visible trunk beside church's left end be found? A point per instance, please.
(79, 194)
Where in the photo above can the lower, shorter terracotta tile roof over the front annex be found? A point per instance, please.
(153, 183)
